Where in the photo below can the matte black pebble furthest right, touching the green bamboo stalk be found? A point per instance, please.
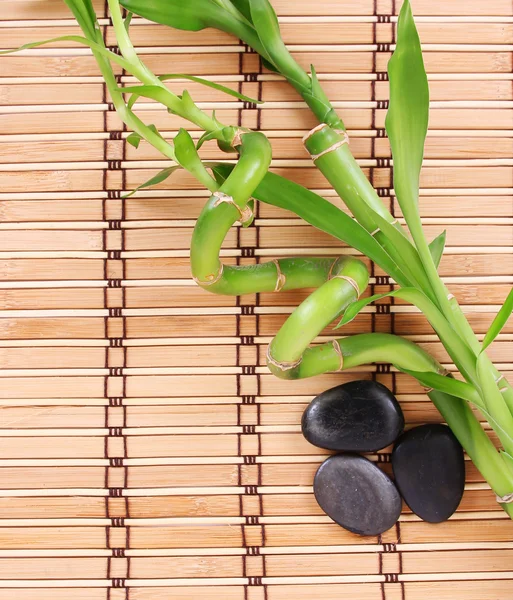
(429, 470)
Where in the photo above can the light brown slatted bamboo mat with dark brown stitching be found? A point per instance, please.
(145, 451)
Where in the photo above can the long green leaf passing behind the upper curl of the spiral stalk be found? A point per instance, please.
(320, 213)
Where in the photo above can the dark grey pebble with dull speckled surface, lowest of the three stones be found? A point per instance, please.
(356, 494)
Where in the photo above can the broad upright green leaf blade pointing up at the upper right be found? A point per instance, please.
(407, 118)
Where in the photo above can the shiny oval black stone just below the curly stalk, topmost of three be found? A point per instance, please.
(359, 416)
